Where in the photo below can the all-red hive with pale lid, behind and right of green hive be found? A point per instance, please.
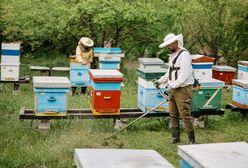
(224, 73)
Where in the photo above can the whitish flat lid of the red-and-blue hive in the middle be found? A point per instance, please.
(106, 73)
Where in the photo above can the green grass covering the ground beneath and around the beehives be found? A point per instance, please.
(25, 146)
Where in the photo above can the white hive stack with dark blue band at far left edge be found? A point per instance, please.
(10, 61)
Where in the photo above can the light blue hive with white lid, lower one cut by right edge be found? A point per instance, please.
(240, 92)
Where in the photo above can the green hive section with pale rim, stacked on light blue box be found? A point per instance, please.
(149, 74)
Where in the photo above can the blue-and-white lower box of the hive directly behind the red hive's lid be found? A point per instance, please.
(109, 62)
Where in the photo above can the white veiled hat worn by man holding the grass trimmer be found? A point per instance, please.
(170, 38)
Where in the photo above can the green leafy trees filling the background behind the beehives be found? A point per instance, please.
(214, 27)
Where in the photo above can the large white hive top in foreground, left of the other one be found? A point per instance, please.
(119, 158)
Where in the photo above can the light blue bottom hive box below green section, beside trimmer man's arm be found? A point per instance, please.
(149, 96)
